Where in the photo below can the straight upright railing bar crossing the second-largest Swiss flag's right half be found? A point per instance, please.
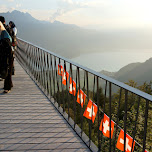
(110, 94)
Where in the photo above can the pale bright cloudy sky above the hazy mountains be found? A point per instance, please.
(93, 14)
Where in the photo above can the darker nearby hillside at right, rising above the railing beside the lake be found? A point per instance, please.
(139, 72)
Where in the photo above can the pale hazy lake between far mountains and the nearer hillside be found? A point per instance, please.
(112, 61)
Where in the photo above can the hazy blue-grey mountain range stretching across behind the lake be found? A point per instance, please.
(70, 40)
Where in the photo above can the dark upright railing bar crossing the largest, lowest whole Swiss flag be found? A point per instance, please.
(125, 118)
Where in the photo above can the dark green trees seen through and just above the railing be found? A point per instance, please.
(75, 111)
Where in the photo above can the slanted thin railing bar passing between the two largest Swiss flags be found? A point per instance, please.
(117, 120)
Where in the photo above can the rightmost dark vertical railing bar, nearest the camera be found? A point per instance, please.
(145, 125)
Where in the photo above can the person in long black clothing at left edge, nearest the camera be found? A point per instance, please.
(6, 58)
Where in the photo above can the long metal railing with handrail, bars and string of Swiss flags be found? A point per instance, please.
(89, 101)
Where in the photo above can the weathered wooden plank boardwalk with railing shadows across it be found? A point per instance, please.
(29, 122)
